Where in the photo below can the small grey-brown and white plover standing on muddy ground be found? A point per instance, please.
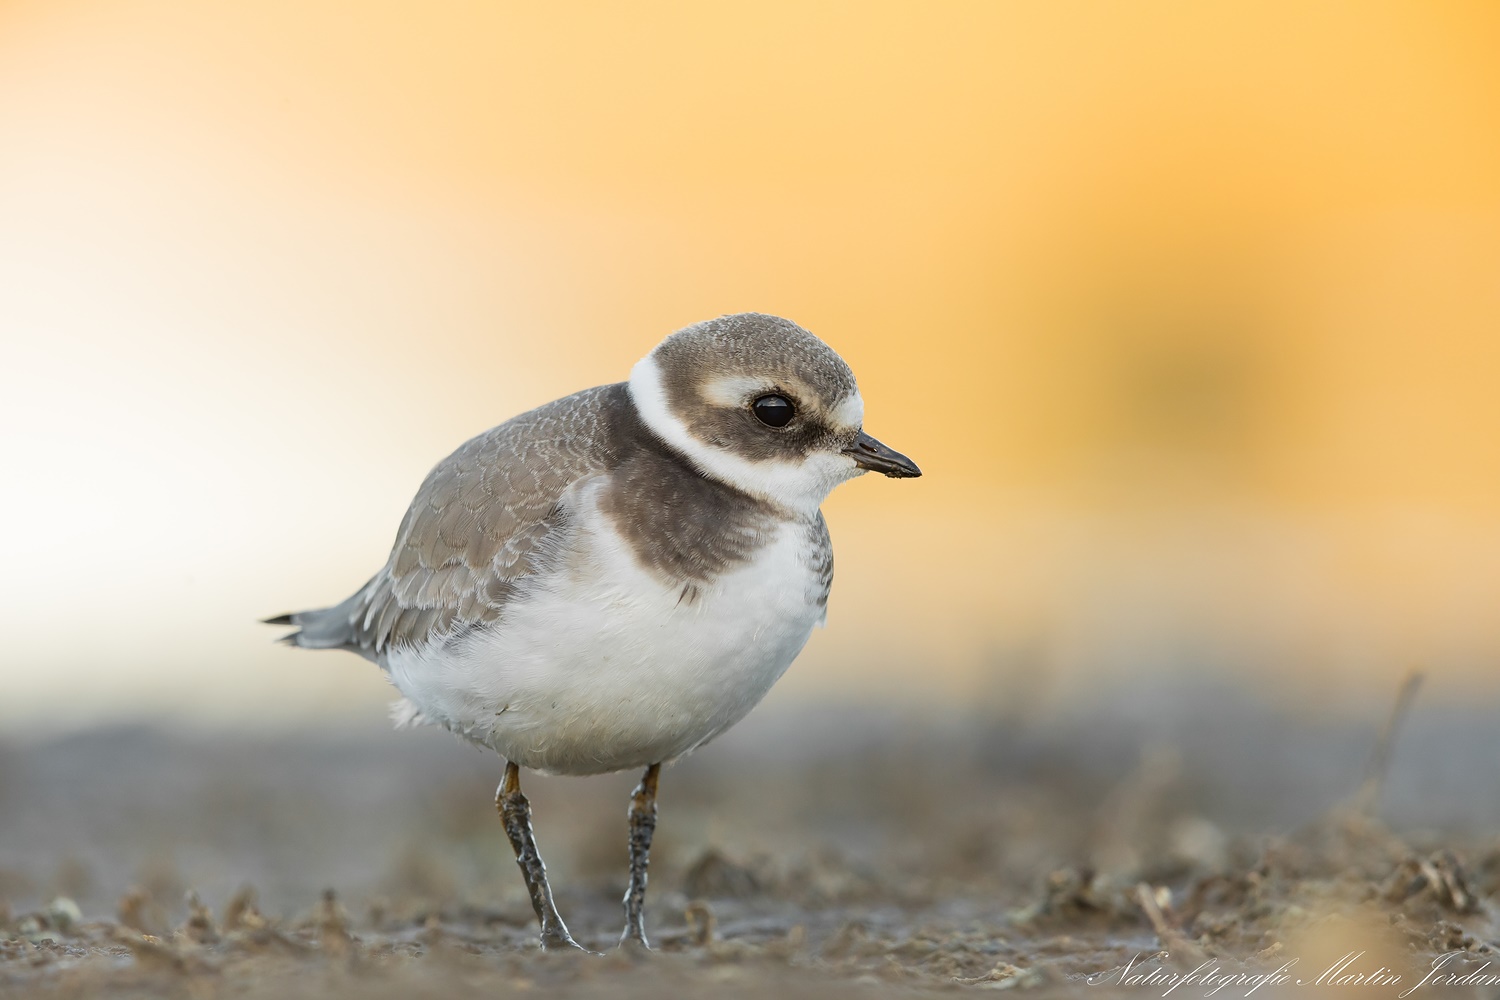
(613, 579)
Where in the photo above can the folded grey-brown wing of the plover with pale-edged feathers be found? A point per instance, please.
(485, 519)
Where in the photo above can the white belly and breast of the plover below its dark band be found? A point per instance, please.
(604, 668)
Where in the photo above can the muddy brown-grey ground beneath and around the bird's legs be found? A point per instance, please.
(818, 852)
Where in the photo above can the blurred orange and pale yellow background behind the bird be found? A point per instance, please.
(1190, 313)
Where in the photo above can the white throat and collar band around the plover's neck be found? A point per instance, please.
(796, 487)
